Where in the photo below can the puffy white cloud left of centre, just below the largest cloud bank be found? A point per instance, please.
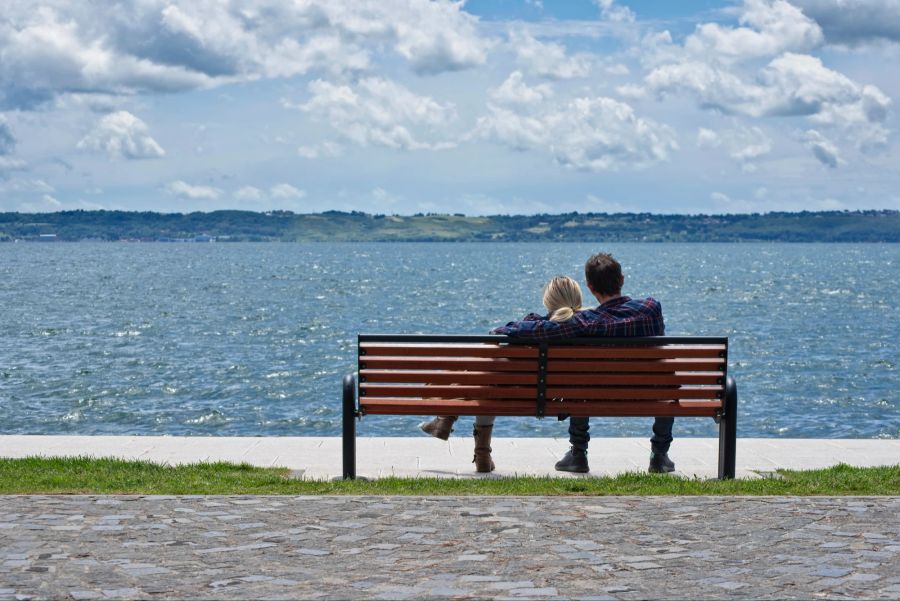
(381, 112)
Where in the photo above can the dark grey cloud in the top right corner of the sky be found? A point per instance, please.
(853, 22)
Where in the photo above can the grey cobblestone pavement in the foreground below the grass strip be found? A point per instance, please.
(98, 547)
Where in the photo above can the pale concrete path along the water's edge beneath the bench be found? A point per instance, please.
(320, 457)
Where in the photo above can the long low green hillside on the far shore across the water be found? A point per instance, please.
(828, 226)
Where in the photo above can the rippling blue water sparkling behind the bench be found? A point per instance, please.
(252, 339)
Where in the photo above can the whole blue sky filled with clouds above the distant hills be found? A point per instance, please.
(416, 106)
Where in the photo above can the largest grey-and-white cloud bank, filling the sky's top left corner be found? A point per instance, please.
(52, 48)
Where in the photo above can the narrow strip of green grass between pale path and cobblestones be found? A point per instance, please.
(80, 475)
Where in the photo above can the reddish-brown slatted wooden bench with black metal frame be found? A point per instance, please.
(497, 375)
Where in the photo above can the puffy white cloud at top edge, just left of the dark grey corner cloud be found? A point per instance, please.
(774, 27)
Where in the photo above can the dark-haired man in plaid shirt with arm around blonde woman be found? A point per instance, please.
(616, 316)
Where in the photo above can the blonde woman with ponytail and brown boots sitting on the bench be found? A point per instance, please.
(562, 298)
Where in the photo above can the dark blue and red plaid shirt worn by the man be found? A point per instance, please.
(622, 316)
